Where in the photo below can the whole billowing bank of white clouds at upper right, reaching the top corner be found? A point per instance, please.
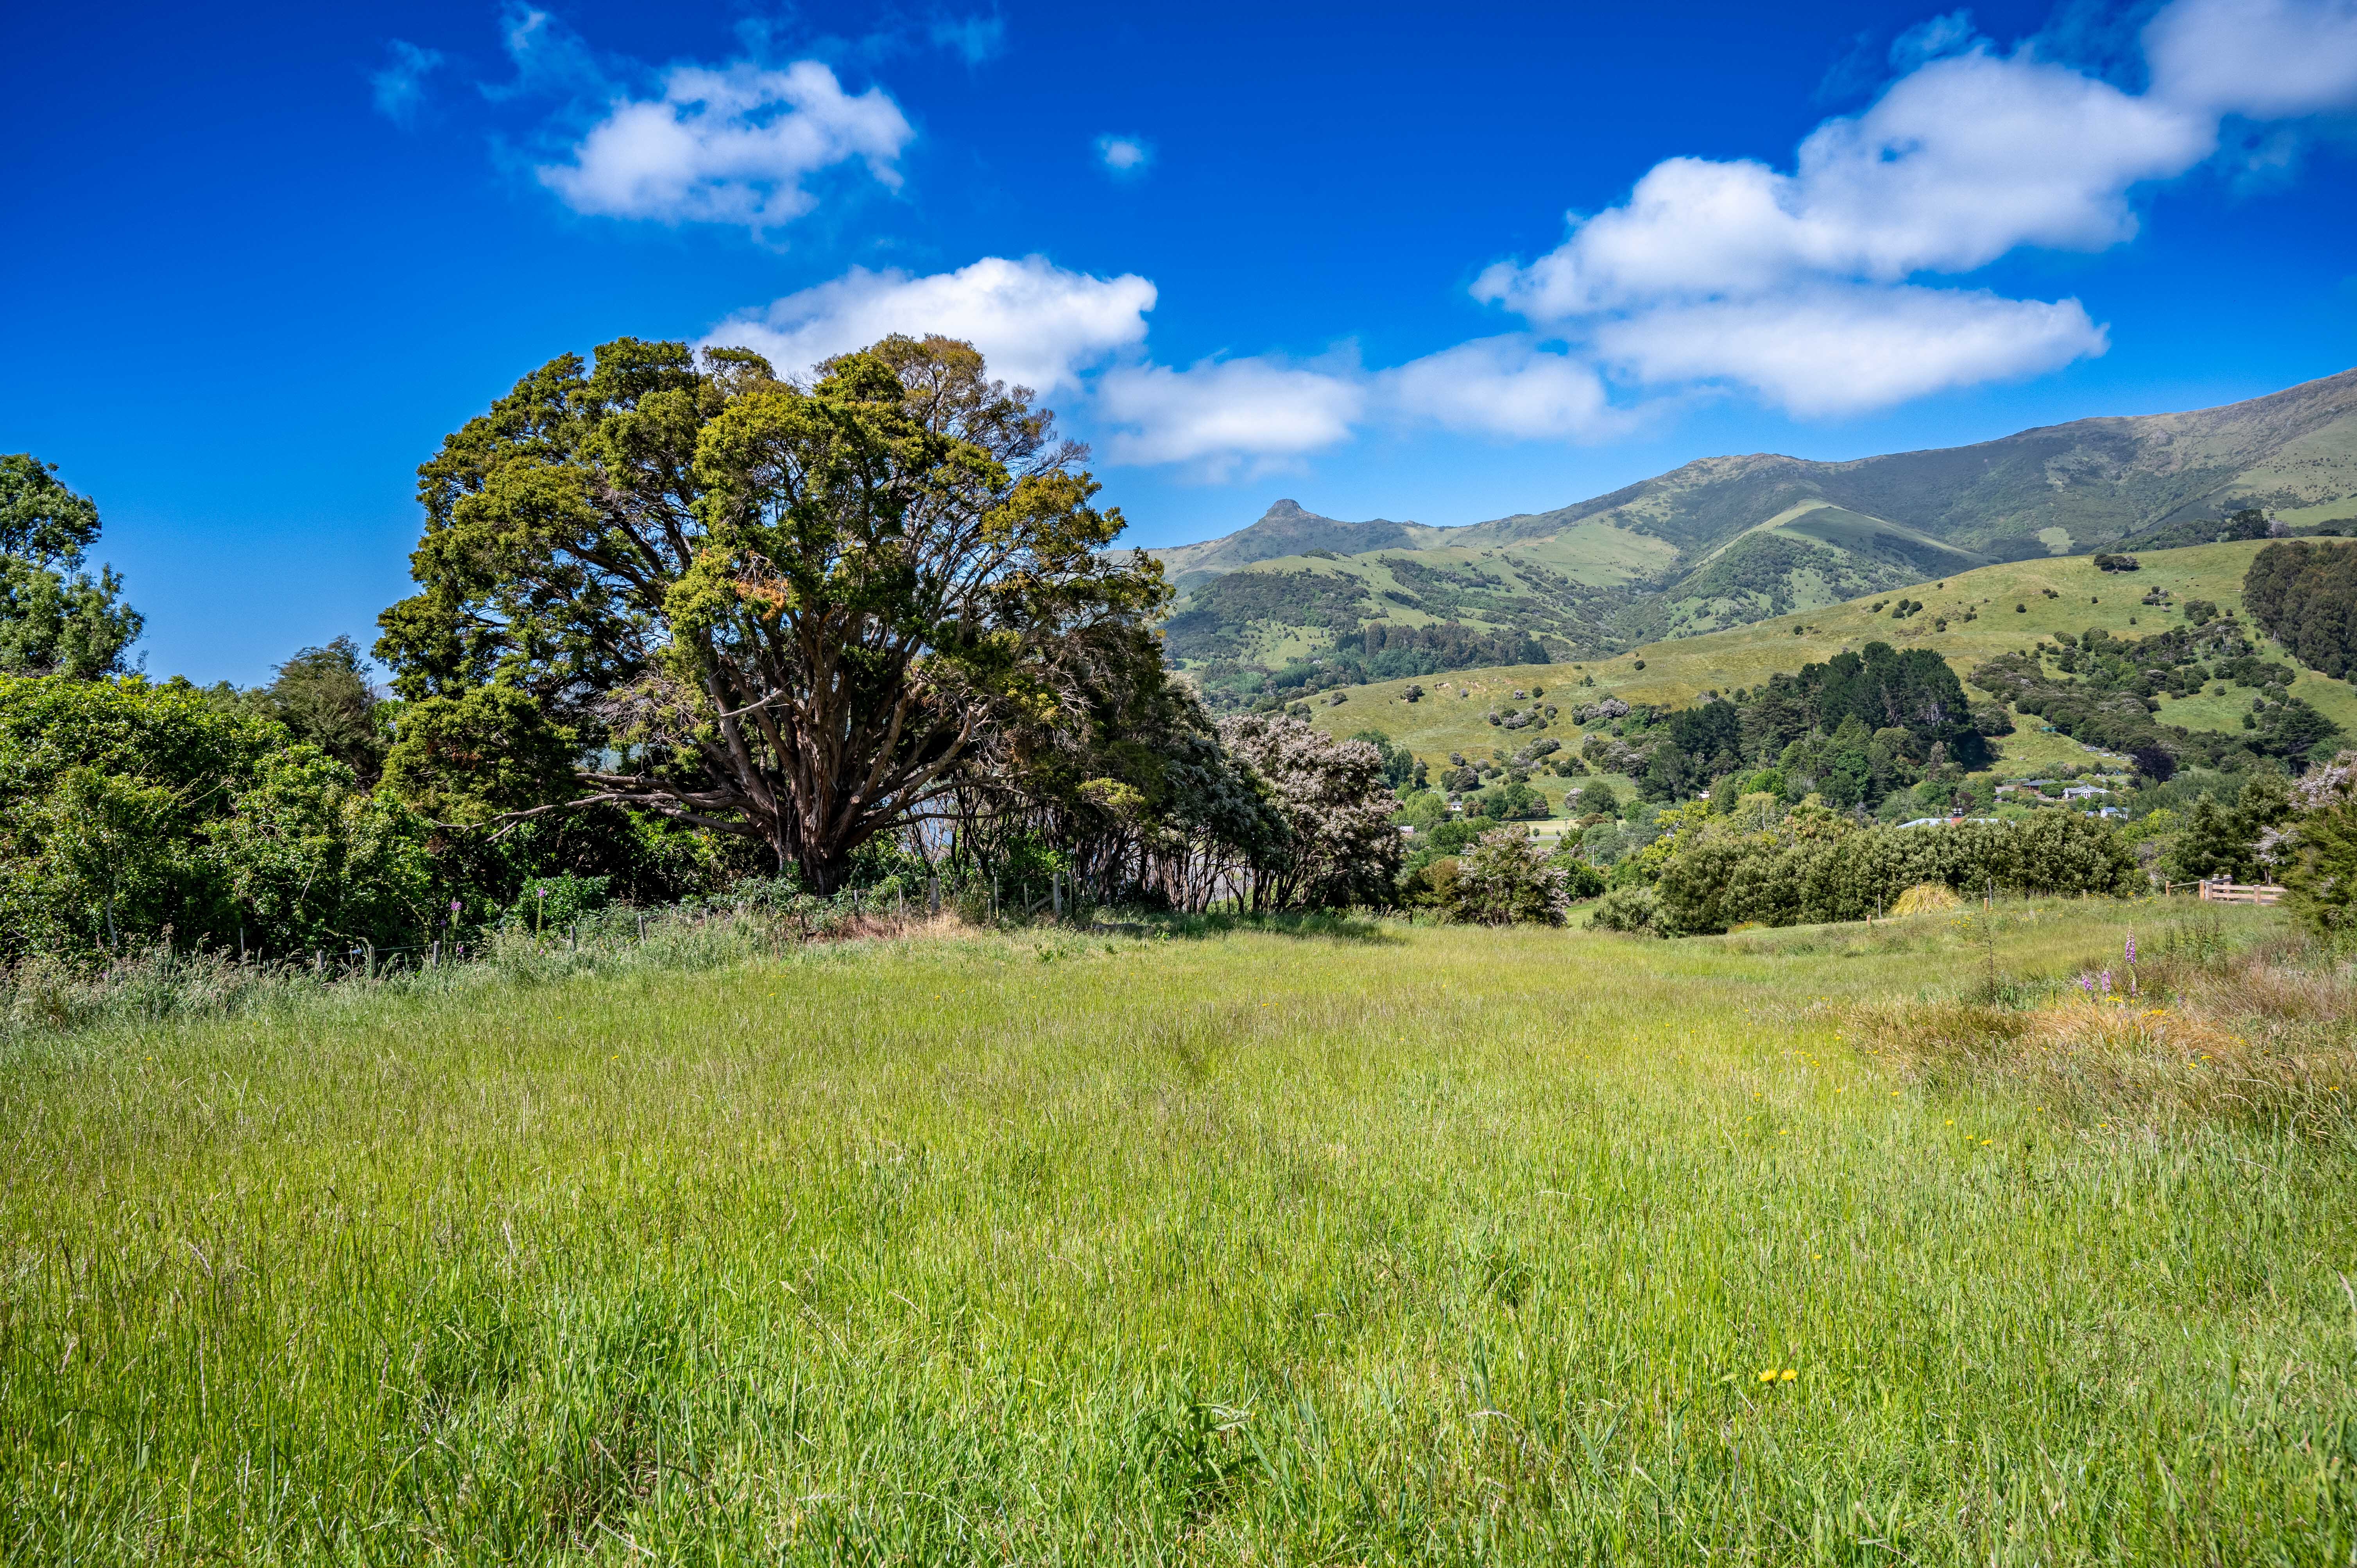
(1809, 286)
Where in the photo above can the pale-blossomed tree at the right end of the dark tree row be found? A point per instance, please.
(1340, 843)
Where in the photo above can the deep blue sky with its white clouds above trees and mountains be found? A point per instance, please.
(1380, 258)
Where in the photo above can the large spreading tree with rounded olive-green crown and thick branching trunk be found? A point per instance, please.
(770, 610)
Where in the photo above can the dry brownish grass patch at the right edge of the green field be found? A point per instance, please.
(2264, 1036)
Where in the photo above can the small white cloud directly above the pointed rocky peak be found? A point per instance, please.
(1227, 414)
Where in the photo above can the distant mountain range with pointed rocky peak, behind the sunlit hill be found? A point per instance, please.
(1736, 541)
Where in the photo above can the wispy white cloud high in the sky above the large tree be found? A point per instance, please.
(729, 147)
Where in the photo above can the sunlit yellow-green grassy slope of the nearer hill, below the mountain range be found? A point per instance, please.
(1979, 621)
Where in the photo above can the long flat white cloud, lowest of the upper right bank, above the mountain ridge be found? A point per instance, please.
(1842, 350)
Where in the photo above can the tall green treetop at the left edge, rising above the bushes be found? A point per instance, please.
(55, 619)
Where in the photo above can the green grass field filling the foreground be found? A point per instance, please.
(1347, 1246)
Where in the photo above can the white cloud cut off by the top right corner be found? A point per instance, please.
(2271, 60)
